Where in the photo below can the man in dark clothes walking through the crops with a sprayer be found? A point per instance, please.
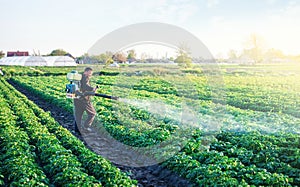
(84, 103)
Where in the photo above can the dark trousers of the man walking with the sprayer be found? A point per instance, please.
(79, 107)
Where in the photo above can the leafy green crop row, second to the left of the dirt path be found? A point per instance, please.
(58, 163)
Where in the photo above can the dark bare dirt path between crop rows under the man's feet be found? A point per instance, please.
(111, 149)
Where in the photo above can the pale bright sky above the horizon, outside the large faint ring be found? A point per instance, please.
(76, 25)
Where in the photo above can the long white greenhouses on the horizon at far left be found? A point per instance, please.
(38, 61)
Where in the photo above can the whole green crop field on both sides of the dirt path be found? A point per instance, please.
(245, 131)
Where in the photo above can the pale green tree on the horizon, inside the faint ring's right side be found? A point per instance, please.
(183, 56)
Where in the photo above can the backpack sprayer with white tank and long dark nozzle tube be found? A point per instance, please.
(73, 89)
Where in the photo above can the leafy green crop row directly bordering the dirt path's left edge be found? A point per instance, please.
(95, 164)
